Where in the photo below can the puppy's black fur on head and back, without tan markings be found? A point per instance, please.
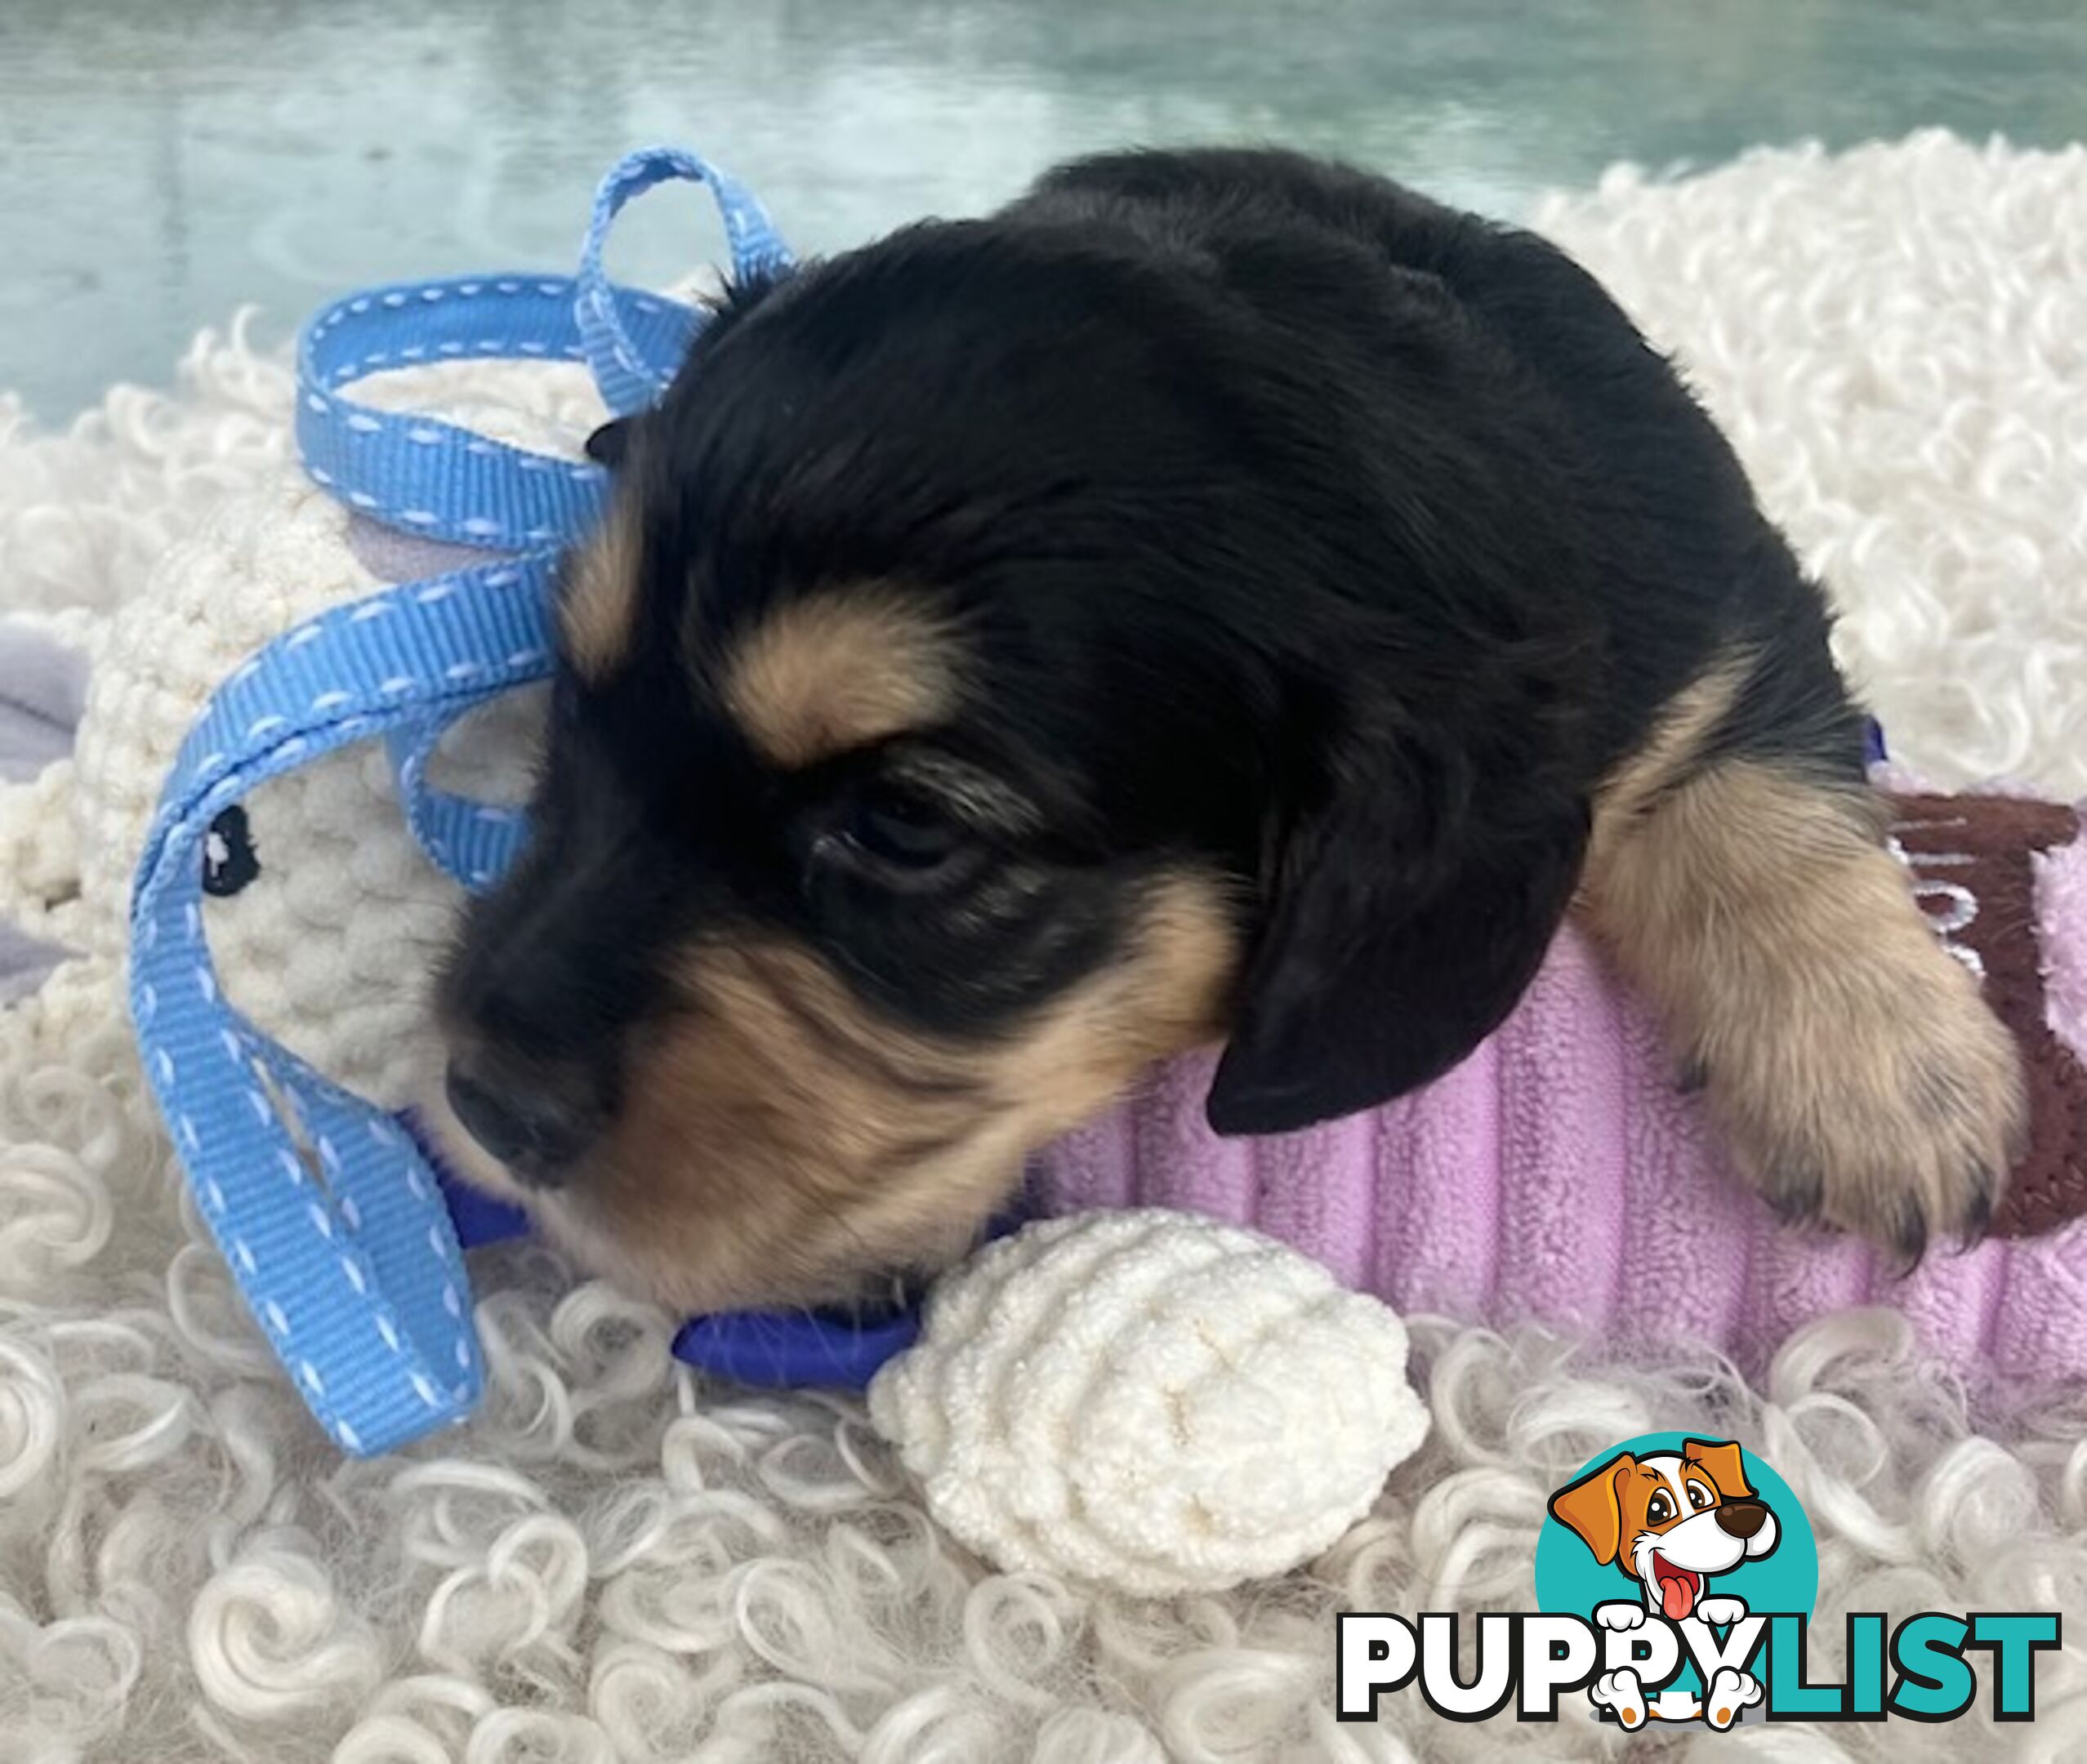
(1299, 529)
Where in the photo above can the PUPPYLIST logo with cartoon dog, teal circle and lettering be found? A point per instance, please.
(1677, 1581)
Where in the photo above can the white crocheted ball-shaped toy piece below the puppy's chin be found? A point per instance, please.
(1153, 1402)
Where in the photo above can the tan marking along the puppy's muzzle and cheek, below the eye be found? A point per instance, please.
(782, 1139)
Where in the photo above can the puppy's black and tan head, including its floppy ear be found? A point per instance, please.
(986, 684)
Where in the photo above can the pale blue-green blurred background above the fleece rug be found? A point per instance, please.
(168, 160)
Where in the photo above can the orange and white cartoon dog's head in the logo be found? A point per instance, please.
(1671, 1521)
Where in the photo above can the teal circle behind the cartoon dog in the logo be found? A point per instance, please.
(1573, 1579)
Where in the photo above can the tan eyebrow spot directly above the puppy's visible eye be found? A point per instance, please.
(840, 671)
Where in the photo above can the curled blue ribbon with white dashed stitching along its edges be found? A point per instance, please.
(329, 1214)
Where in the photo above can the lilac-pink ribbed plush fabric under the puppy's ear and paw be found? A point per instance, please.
(1560, 1176)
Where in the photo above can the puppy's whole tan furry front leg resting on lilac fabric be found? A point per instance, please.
(1850, 1062)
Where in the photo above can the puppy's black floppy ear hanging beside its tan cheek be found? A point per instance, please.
(1406, 913)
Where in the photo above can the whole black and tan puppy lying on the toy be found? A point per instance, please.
(1216, 598)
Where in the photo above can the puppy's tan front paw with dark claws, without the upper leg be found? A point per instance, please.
(1884, 1097)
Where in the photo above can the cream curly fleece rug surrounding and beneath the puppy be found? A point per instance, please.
(621, 1563)
